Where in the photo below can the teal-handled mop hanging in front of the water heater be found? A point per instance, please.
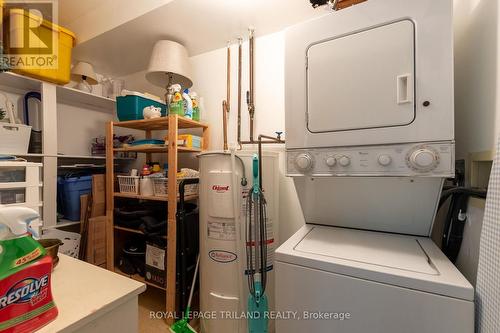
(256, 262)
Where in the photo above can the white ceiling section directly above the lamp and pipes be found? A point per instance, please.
(201, 25)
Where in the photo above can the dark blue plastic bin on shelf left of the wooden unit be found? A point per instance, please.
(72, 188)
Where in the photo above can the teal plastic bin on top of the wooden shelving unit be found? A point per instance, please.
(130, 106)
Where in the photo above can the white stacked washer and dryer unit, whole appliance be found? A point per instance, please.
(370, 141)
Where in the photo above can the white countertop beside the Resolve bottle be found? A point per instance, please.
(84, 292)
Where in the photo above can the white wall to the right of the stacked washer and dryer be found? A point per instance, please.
(477, 120)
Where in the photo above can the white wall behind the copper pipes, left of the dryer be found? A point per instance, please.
(210, 82)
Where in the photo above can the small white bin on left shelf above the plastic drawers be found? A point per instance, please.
(14, 138)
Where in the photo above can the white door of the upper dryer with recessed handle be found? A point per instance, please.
(362, 80)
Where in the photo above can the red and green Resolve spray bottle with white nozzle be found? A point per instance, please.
(26, 302)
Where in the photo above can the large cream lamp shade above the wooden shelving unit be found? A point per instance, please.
(169, 59)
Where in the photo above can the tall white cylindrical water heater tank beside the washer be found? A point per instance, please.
(223, 283)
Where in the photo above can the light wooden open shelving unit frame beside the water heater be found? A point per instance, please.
(172, 124)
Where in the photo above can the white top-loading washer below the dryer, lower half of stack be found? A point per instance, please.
(352, 281)
